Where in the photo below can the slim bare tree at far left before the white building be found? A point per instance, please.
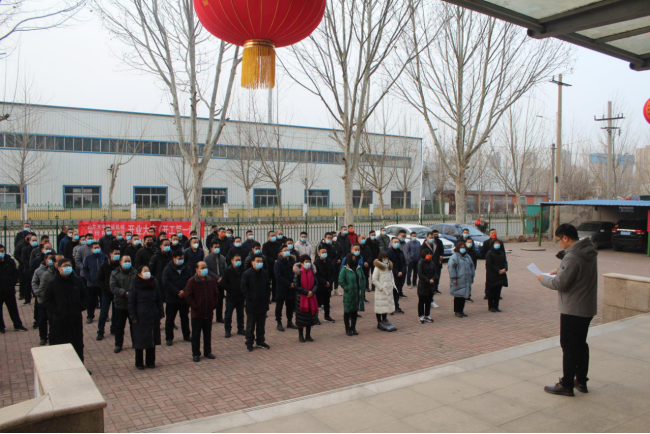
(26, 164)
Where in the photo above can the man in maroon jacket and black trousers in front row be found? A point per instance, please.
(201, 294)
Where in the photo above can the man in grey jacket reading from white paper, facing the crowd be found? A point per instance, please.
(576, 282)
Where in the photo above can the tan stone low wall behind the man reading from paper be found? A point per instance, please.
(625, 296)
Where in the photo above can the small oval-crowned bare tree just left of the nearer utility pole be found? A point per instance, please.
(519, 142)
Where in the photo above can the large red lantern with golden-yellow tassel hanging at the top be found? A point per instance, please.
(260, 26)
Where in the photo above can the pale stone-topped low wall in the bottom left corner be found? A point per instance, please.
(66, 400)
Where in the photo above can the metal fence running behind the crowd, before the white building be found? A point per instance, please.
(505, 224)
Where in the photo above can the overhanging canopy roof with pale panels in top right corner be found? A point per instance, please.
(618, 28)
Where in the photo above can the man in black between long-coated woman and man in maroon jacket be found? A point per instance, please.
(174, 279)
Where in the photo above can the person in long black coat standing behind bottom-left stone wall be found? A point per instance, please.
(66, 299)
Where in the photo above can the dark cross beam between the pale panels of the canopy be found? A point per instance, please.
(595, 15)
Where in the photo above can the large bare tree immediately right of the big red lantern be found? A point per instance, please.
(358, 42)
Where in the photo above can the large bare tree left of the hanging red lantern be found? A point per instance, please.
(166, 39)
